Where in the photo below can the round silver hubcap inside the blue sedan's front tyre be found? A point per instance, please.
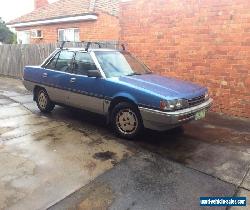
(126, 121)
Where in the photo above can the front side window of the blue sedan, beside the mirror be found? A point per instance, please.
(83, 62)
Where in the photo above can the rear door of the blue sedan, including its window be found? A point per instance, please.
(56, 76)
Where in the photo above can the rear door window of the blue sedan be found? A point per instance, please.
(64, 61)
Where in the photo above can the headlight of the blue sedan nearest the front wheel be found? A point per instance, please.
(173, 104)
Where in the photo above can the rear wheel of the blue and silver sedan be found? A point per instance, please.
(43, 101)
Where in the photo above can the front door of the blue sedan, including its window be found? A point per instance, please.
(87, 92)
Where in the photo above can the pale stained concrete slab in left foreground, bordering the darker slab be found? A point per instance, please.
(42, 168)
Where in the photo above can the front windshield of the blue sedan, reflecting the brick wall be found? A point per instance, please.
(117, 64)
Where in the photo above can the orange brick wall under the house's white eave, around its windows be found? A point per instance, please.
(105, 28)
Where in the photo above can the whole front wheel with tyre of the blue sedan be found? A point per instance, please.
(126, 120)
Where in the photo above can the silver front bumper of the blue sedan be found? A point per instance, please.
(160, 121)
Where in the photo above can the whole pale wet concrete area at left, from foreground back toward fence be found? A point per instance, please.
(43, 160)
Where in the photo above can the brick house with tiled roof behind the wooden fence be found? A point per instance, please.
(71, 20)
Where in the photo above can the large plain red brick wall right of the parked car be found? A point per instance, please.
(204, 41)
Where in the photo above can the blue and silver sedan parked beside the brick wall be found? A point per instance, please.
(115, 84)
